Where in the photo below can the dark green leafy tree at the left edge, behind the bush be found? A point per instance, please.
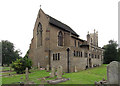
(9, 54)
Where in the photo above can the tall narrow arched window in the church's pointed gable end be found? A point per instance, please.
(39, 35)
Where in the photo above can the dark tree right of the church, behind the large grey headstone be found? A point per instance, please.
(110, 53)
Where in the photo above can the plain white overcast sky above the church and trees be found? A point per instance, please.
(17, 19)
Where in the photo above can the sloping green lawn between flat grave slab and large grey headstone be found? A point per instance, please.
(87, 76)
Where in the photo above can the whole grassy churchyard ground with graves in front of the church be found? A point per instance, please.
(37, 76)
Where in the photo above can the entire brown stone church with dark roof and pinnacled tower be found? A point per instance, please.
(54, 43)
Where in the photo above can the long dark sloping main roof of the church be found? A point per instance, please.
(61, 25)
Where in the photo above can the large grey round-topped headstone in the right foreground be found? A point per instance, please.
(112, 73)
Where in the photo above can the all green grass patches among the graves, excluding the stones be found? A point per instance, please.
(88, 76)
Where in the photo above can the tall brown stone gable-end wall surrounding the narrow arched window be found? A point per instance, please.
(37, 54)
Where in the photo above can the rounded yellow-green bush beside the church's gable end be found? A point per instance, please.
(20, 65)
